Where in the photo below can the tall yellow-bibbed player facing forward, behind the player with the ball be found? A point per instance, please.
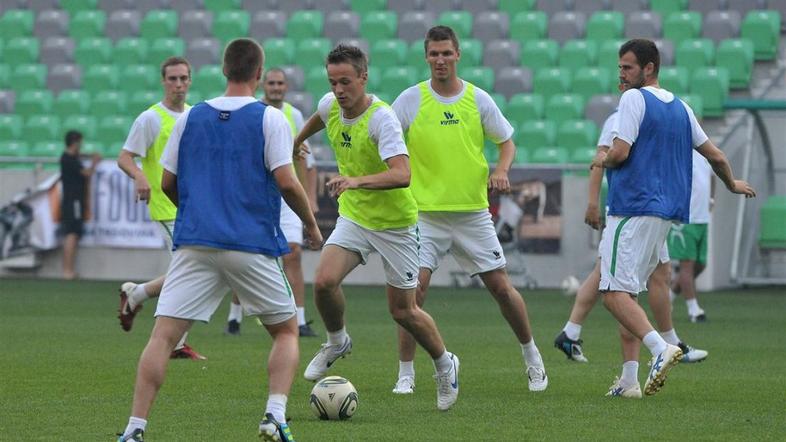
(445, 120)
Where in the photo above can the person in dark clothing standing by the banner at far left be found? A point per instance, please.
(74, 179)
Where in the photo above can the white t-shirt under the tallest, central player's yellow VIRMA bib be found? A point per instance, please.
(495, 126)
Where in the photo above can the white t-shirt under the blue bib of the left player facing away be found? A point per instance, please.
(278, 134)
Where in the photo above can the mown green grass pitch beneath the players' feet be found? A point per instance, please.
(67, 373)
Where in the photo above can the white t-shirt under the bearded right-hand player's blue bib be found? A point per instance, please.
(631, 114)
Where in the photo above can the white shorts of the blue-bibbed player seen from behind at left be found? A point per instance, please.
(199, 277)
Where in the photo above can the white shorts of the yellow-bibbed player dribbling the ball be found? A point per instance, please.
(398, 248)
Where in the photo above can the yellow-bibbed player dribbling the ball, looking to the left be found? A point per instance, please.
(376, 213)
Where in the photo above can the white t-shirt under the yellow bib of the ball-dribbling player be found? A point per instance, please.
(383, 127)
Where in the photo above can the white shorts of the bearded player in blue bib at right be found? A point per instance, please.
(630, 249)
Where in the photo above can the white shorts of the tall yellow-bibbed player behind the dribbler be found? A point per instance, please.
(468, 236)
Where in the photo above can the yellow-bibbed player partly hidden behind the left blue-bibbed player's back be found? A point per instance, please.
(146, 140)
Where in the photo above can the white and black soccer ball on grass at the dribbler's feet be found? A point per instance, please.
(334, 398)
